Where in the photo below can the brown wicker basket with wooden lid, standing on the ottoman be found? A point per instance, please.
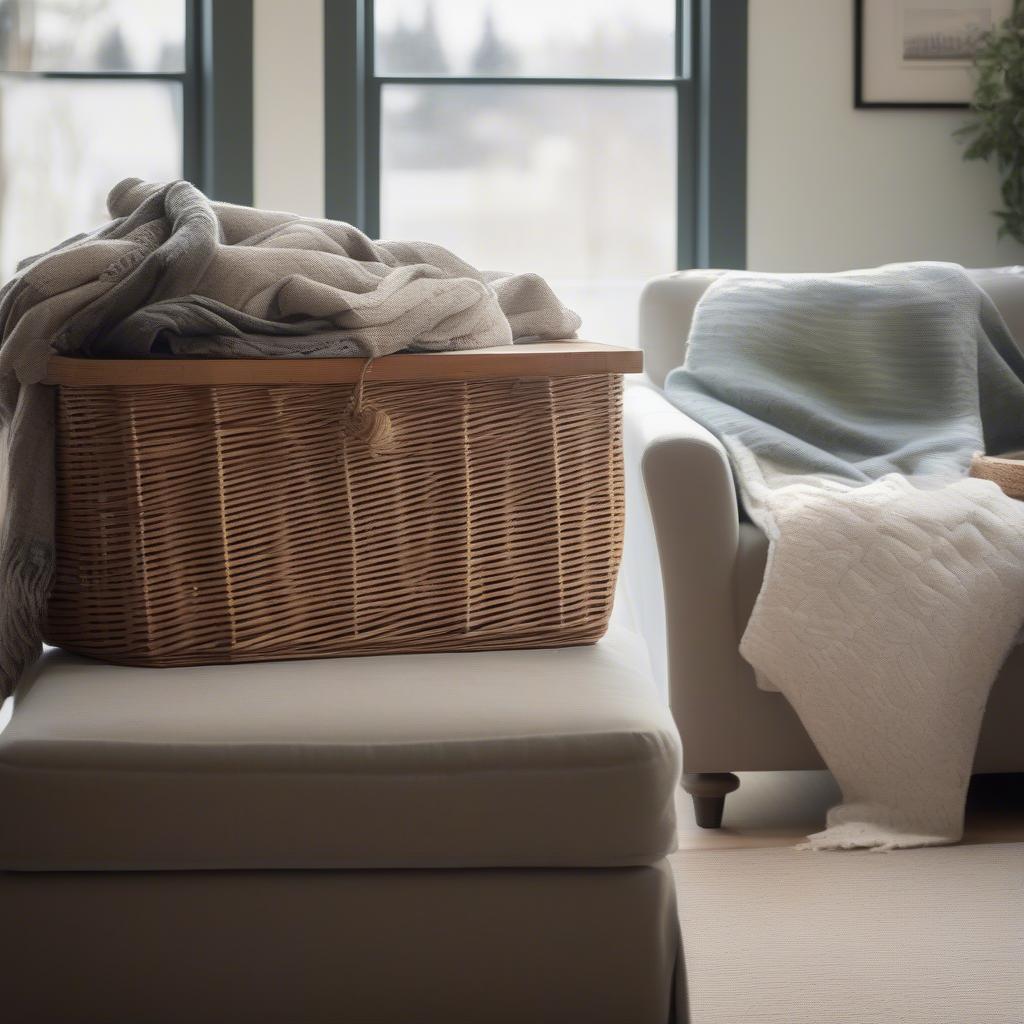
(216, 511)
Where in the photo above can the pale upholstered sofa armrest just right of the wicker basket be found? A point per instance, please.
(682, 540)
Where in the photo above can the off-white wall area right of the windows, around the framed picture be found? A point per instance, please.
(832, 188)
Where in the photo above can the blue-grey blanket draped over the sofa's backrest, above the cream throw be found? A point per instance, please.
(856, 375)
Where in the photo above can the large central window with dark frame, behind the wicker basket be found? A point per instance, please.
(526, 135)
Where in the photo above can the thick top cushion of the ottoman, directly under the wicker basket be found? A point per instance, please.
(551, 758)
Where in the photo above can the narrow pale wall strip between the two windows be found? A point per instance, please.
(288, 105)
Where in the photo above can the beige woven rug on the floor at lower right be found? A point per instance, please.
(917, 937)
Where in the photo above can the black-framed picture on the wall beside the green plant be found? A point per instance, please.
(919, 53)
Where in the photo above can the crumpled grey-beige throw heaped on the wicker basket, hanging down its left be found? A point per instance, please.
(174, 274)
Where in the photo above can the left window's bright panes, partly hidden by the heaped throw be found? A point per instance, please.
(91, 92)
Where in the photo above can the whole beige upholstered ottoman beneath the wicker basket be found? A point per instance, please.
(431, 839)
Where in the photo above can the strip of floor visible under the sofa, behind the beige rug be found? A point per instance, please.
(780, 808)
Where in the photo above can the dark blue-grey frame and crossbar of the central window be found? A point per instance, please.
(710, 84)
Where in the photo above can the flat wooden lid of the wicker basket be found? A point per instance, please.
(550, 359)
